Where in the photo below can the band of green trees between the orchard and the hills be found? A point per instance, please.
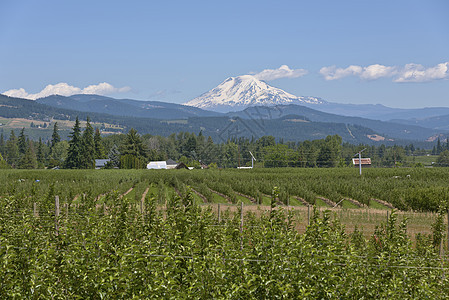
(133, 150)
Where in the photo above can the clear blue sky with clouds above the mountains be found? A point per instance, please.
(391, 52)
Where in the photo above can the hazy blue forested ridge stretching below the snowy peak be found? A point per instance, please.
(290, 122)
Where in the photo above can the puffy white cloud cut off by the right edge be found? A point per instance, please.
(418, 73)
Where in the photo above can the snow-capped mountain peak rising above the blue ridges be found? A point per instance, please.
(236, 93)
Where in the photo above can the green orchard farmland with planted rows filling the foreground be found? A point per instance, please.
(223, 233)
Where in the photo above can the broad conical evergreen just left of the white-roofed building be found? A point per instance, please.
(133, 154)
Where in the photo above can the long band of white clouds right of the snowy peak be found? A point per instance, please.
(408, 73)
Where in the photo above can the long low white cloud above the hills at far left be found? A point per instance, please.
(65, 89)
